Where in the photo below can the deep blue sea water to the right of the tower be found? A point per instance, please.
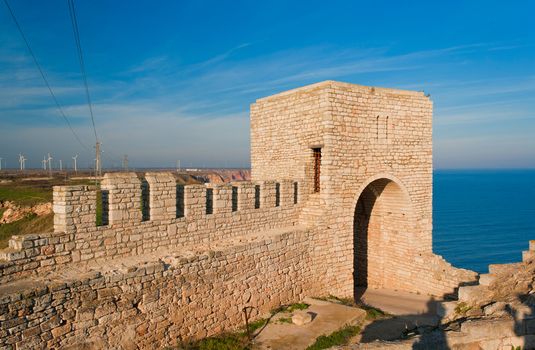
(481, 217)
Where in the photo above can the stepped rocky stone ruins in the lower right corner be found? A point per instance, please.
(496, 313)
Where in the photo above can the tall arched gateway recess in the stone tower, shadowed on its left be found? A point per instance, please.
(382, 225)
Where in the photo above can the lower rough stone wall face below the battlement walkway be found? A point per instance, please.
(154, 304)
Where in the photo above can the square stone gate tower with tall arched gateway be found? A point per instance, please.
(363, 157)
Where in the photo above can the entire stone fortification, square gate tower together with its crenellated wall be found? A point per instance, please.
(188, 266)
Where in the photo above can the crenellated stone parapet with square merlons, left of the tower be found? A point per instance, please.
(77, 238)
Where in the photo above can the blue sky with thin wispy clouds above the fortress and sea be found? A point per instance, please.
(174, 79)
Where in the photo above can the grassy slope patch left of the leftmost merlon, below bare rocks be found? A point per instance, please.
(30, 224)
